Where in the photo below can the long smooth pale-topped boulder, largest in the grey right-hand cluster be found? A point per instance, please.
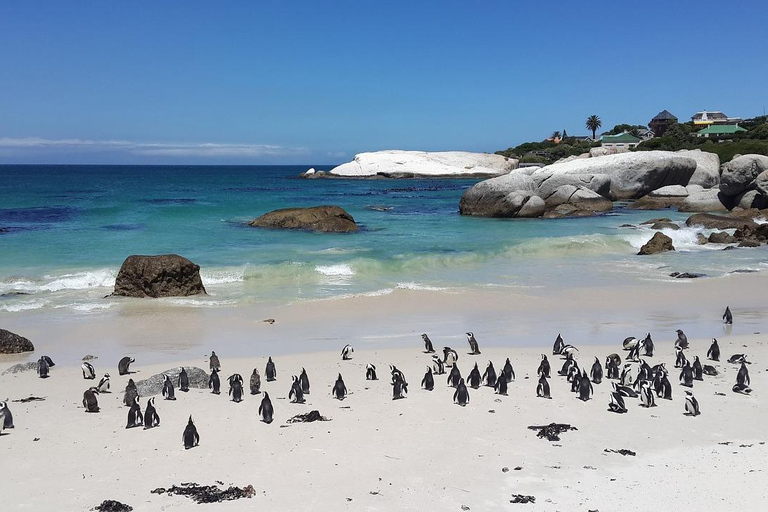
(633, 175)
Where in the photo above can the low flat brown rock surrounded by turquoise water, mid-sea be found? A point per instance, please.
(326, 219)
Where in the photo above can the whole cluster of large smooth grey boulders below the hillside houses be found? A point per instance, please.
(693, 181)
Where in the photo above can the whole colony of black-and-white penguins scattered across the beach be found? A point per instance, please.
(637, 379)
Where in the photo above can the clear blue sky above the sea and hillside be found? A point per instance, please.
(316, 82)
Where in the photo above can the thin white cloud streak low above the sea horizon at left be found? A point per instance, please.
(147, 148)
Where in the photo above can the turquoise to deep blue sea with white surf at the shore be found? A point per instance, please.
(65, 230)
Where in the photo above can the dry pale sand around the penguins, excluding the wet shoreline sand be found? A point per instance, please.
(419, 453)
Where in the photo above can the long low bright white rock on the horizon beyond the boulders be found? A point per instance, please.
(420, 164)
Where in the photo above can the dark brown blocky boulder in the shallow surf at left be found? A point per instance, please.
(166, 275)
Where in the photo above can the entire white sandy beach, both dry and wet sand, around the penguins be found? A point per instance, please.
(422, 452)
